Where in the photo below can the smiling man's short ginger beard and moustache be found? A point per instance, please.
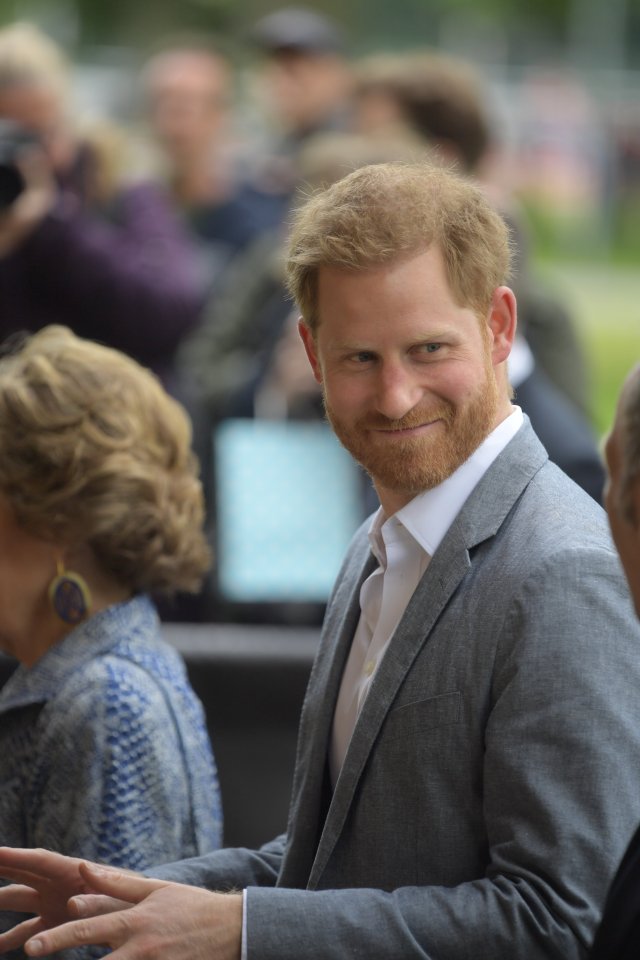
(414, 464)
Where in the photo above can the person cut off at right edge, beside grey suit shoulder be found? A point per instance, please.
(618, 937)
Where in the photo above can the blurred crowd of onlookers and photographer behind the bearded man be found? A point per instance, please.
(169, 245)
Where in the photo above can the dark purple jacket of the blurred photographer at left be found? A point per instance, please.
(123, 273)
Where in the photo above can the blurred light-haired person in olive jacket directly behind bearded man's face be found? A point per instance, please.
(246, 358)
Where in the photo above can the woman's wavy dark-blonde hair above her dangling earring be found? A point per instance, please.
(94, 452)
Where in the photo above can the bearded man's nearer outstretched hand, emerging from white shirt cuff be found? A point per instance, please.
(168, 920)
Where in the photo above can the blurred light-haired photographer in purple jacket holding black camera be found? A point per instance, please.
(77, 245)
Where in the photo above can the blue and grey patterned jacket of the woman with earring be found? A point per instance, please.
(104, 752)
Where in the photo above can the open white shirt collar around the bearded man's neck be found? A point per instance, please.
(430, 514)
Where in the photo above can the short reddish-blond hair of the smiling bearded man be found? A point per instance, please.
(384, 211)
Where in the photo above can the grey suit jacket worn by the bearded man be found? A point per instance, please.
(493, 778)
